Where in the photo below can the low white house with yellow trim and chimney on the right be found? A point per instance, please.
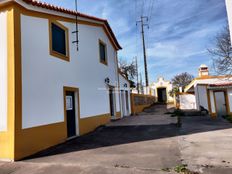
(213, 93)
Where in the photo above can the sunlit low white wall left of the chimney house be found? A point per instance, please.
(187, 101)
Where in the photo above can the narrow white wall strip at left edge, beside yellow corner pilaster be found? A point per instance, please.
(3, 71)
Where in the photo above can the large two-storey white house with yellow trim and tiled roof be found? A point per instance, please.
(50, 92)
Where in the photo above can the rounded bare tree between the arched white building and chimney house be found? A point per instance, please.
(180, 80)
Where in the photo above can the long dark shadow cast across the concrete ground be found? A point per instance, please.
(118, 135)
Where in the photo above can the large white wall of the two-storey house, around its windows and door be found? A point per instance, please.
(44, 75)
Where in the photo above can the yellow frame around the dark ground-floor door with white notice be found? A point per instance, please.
(77, 110)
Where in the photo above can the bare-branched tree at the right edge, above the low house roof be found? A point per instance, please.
(222, 53)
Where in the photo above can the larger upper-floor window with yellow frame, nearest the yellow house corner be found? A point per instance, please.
(59, 41)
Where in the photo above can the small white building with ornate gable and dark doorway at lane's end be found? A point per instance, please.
(161, 89)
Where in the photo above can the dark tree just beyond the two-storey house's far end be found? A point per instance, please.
(129, 71)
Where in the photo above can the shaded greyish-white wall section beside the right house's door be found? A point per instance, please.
(201, 97)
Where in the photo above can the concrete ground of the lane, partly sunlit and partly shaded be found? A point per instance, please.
(144, 144)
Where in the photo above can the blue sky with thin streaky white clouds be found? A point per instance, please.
(180, 30)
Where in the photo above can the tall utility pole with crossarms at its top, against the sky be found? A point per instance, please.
(144, 46)
